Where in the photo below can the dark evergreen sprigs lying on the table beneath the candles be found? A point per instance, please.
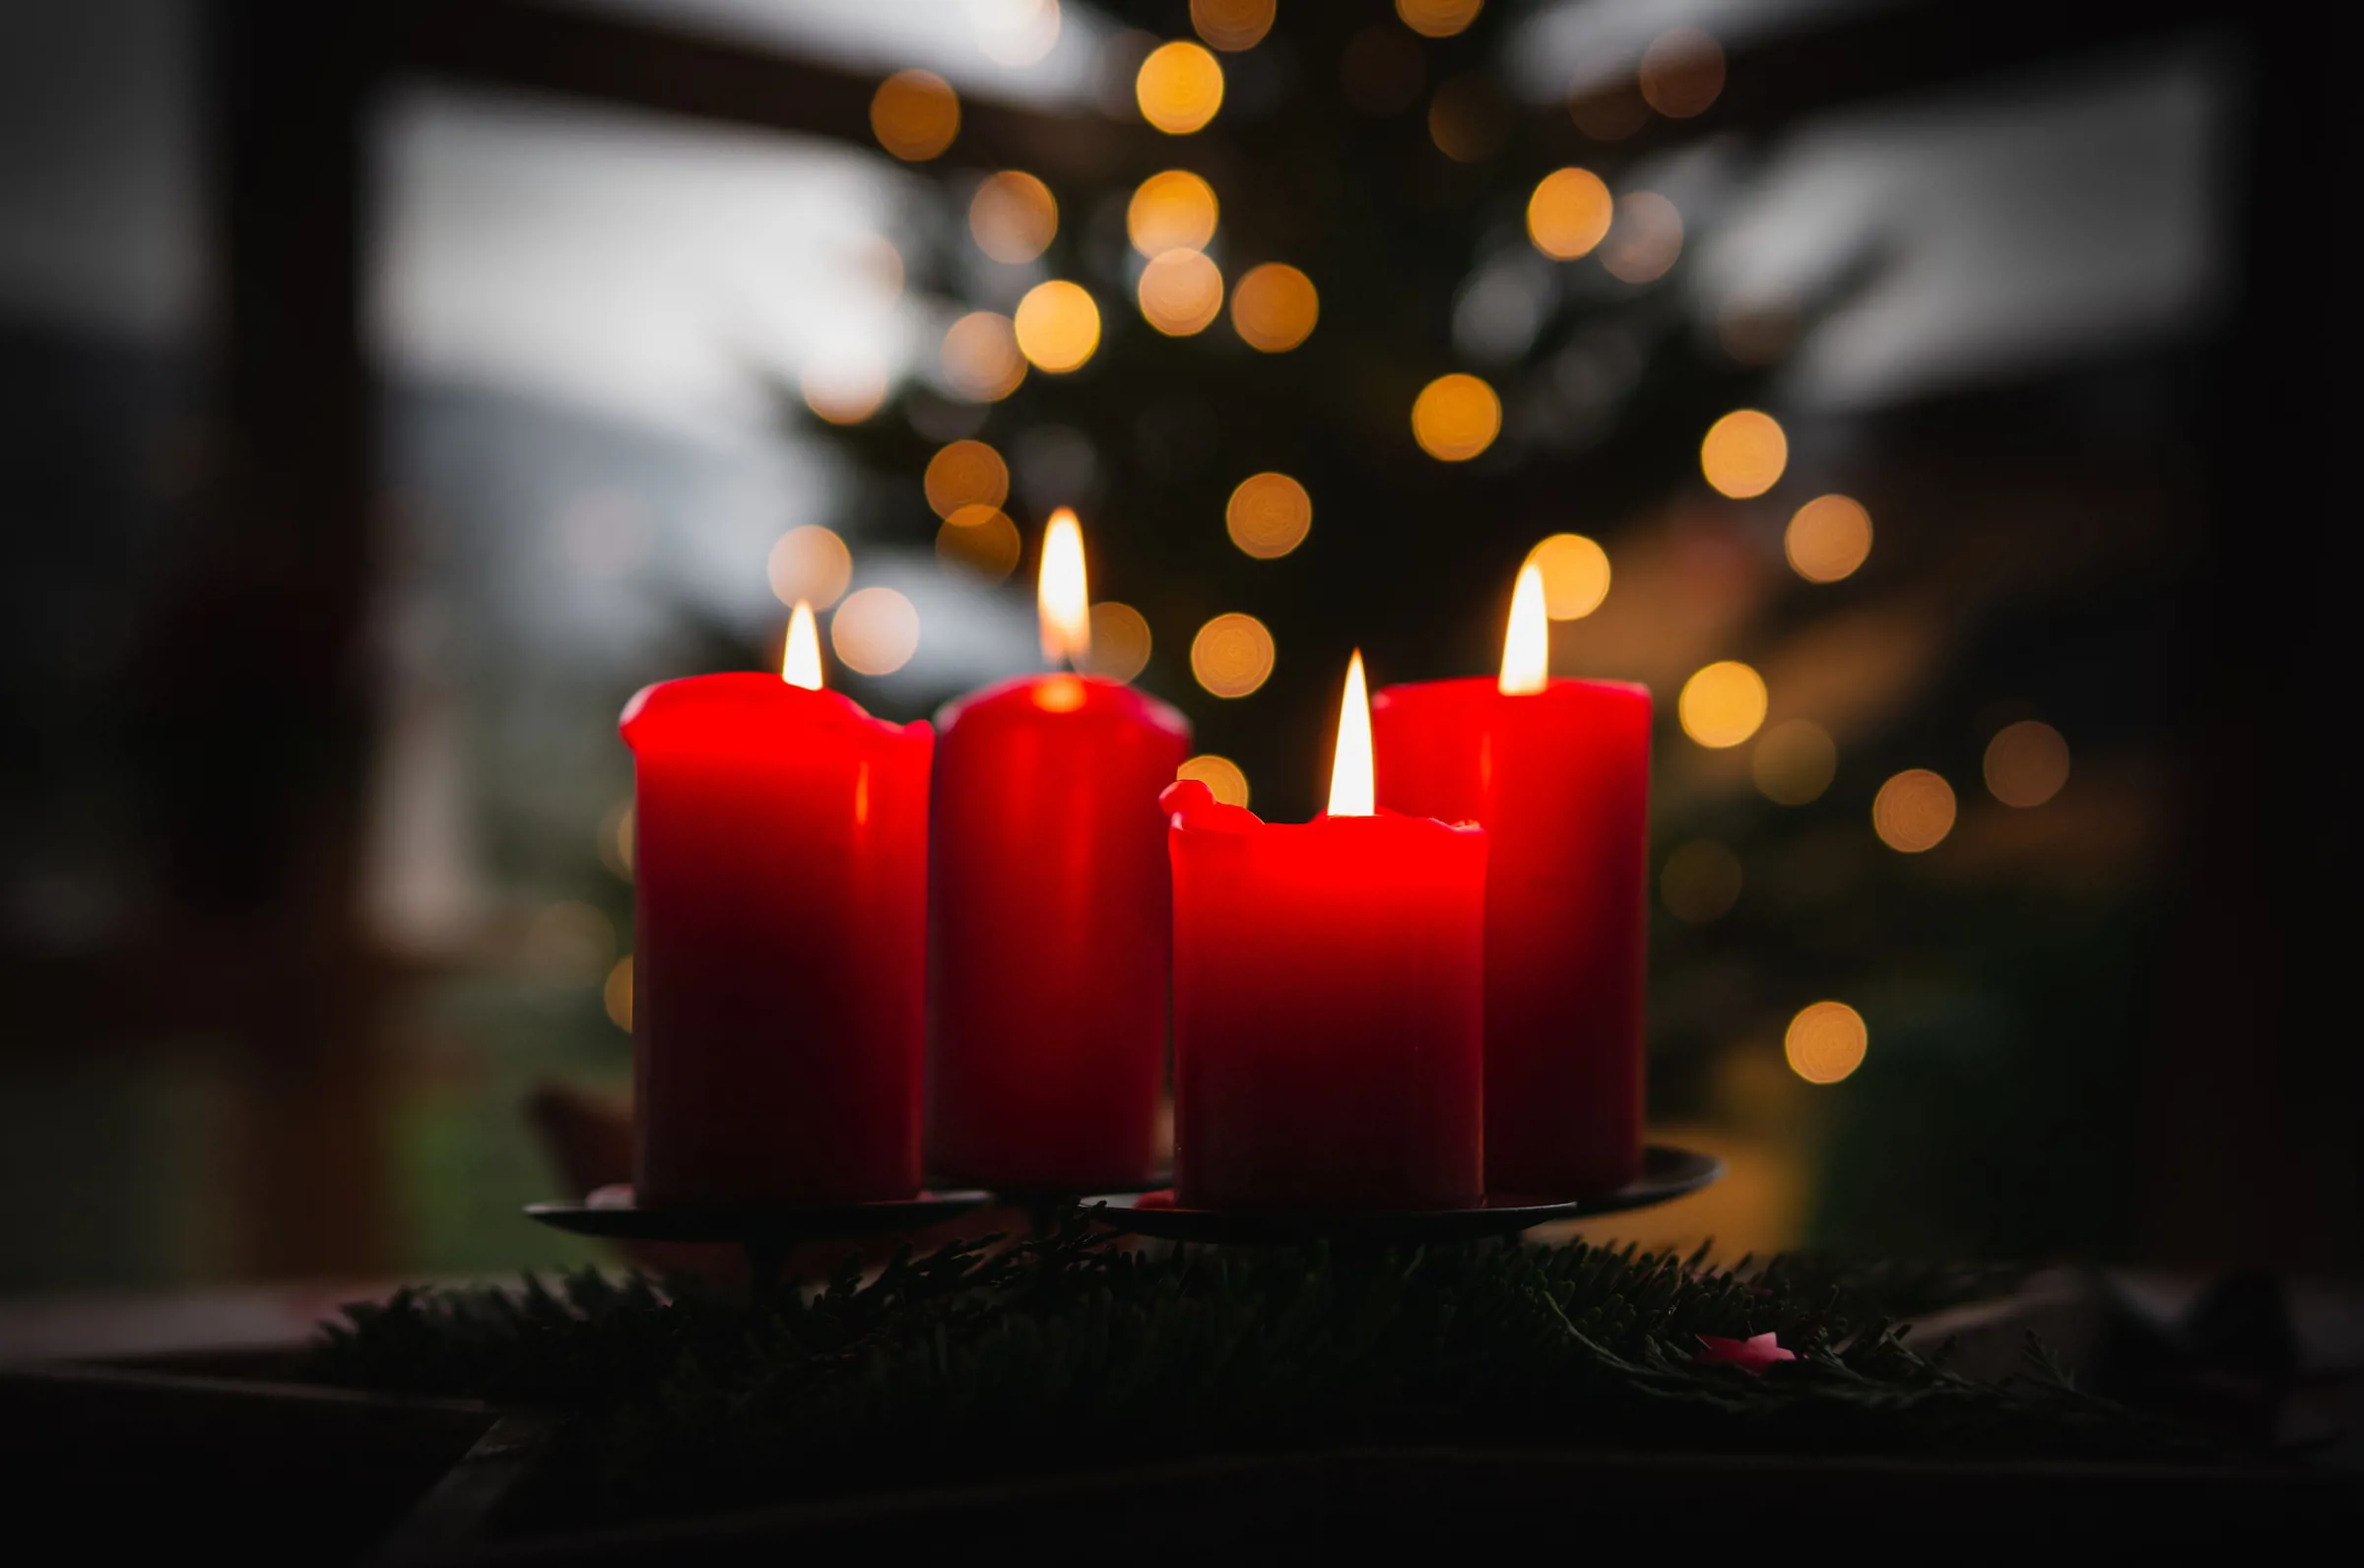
(1072, 1352)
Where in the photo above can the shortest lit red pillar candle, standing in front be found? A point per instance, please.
(1327, 1002)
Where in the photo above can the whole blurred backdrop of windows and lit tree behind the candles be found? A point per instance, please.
(389, 391)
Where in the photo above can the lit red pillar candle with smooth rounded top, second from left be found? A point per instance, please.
(1051, 919)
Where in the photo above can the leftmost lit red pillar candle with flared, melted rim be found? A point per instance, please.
(781, 940)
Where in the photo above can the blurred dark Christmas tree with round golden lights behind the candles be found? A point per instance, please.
(1327, 354)
